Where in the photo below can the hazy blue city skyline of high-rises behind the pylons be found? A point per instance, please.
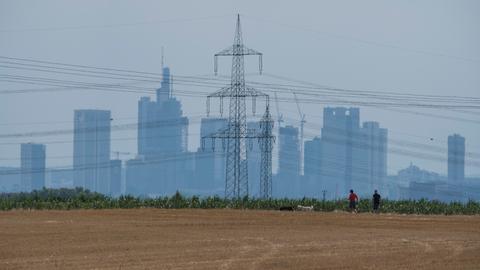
(348, 154)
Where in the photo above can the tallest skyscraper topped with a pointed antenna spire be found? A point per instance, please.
(162, 144)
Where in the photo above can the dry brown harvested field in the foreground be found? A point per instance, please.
(235, 239)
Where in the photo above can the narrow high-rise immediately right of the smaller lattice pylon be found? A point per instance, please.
(287, 178)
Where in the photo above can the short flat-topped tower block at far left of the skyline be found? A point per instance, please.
(32, 166)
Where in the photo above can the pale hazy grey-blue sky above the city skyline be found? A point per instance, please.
(421, 47)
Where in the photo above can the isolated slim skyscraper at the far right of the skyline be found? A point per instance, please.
(456, 158)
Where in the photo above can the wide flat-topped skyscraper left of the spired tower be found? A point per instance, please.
(91, 150)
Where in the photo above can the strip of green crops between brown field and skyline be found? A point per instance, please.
(67, 199)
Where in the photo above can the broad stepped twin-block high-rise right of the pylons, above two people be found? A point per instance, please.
(352, 157)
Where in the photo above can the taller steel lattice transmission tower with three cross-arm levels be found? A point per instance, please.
(236, 134)
